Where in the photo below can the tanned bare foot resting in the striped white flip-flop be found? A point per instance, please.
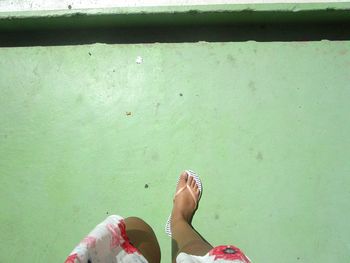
(184, 202)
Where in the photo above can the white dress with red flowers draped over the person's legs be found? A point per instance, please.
(109, 243)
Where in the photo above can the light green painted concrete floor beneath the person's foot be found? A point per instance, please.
(84, 128)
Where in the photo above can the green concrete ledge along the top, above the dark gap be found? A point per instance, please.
(176, 16)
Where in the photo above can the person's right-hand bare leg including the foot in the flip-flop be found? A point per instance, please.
(184, 237)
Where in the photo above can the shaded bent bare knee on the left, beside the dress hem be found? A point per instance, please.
(142, 236)
